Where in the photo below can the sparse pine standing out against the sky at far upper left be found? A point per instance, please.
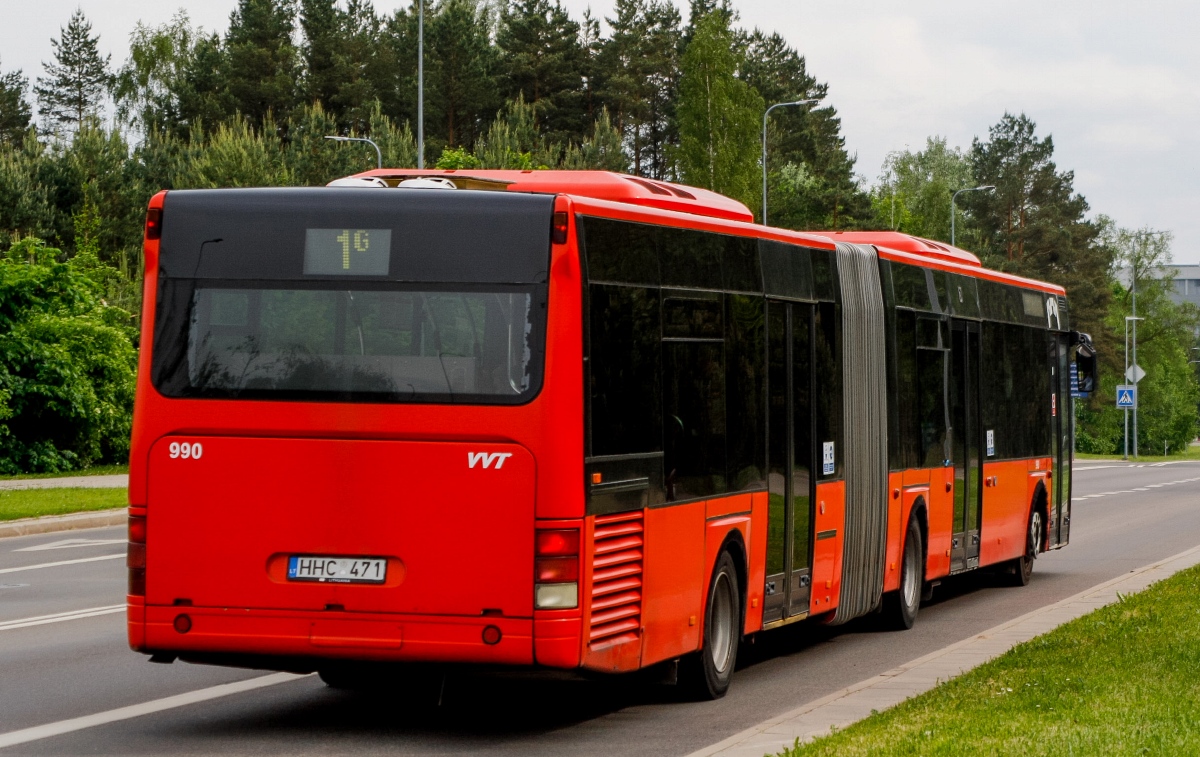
(75, 85)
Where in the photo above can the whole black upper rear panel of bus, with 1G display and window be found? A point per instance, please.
(352, 296)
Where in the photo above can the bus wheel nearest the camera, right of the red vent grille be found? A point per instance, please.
(707, 675)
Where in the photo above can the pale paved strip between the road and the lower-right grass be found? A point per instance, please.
(854, 704)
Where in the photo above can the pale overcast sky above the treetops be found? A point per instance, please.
(1117, 83)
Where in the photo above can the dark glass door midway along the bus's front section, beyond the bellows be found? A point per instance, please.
(965, 435)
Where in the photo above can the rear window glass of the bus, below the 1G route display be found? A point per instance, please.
(335, 344)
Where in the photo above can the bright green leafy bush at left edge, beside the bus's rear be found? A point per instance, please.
(68, 364)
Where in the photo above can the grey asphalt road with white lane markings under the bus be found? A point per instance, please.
(1125, 518)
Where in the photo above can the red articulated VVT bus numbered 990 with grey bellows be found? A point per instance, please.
(569, 420)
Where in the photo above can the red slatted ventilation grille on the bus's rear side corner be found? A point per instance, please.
(616, 580)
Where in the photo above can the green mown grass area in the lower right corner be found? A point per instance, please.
(1121, 681)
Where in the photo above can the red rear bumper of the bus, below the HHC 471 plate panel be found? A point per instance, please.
(339, 635)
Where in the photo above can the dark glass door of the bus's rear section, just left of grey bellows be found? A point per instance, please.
(790, 460)
